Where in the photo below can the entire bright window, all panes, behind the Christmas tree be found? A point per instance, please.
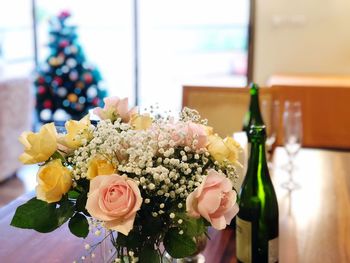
(177, 42)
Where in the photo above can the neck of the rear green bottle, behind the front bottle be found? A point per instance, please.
(253, 115)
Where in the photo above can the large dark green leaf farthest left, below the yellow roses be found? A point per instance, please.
(37, 215)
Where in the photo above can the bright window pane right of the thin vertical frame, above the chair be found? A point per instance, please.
(192, 42)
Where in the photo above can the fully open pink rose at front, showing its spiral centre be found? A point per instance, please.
(115, 200)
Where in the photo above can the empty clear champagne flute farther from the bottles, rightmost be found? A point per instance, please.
(292, 123)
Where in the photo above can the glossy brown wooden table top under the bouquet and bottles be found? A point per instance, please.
(314, 219)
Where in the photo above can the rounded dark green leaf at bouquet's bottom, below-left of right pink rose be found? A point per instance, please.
(179, 246)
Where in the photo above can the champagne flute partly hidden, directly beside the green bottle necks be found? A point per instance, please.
(271, 112)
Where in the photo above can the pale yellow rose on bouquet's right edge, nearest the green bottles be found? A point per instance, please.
(223, 150)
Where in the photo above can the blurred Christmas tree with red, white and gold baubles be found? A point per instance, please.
(67, 86)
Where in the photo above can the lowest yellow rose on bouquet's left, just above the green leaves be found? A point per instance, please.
(54, 180)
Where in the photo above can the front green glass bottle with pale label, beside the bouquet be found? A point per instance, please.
(257, 219)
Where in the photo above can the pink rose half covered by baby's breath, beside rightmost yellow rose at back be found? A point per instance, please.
(186, 133)
